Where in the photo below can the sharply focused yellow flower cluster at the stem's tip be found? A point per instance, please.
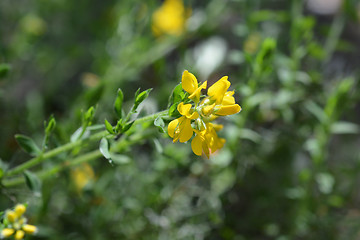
(197, 116)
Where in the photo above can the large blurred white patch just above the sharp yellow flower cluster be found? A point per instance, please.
(209, 55)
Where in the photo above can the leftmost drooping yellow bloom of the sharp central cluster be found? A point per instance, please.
(180, 128)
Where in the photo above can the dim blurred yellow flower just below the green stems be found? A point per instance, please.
(82, 175)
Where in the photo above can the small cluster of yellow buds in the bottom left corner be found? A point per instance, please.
(15, 223)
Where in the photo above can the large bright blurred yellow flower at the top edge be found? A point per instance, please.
(170, 18)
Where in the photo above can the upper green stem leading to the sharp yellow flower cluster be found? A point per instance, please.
(52, 153)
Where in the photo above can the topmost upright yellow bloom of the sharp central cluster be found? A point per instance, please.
(190, 84)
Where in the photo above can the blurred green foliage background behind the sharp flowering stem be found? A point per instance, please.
(290, 167)
